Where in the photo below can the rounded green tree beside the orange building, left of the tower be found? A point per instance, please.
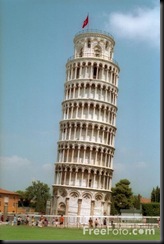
(38, 194)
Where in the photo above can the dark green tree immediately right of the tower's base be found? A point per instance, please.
(122, 195)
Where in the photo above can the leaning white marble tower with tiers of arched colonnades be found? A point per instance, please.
(84, 167)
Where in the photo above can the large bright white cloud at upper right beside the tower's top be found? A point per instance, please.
(138, 25)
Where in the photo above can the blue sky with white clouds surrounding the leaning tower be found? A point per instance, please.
(36, 41)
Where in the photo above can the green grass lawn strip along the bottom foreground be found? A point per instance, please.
(30, 233)
